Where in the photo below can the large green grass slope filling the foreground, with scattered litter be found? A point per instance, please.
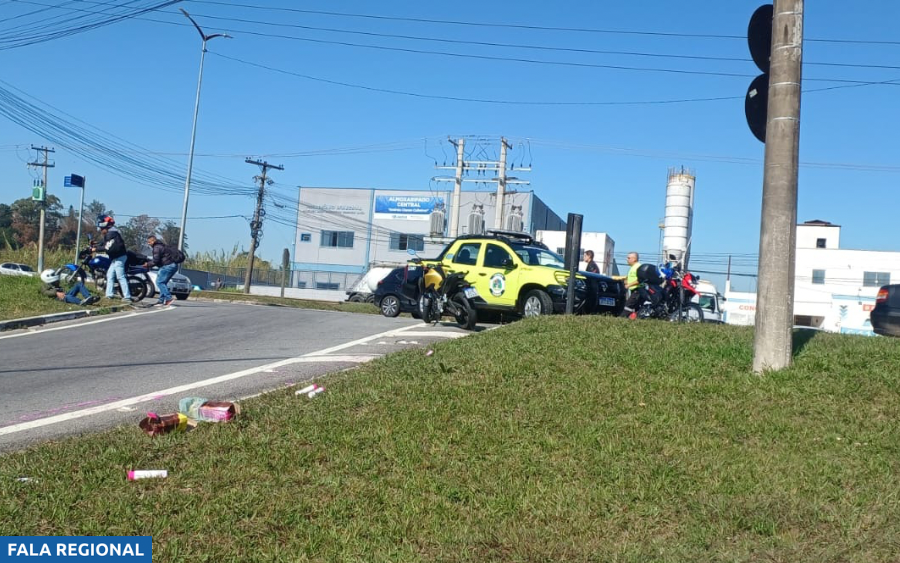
(553, 439)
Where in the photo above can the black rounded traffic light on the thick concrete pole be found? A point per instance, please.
(759, 39)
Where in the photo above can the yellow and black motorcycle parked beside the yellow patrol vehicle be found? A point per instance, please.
(441, 294)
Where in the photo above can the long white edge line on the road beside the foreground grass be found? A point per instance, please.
(312, 356)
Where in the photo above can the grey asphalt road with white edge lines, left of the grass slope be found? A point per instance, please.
(80, 376)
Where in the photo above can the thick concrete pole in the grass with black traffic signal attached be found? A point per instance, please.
(772, 345)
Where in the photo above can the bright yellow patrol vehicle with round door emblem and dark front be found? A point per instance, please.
(513, 273)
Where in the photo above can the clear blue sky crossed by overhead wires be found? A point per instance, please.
(136, 81)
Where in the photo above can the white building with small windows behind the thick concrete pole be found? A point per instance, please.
(834, 288)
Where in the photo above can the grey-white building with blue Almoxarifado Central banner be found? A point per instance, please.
(342, 232)
